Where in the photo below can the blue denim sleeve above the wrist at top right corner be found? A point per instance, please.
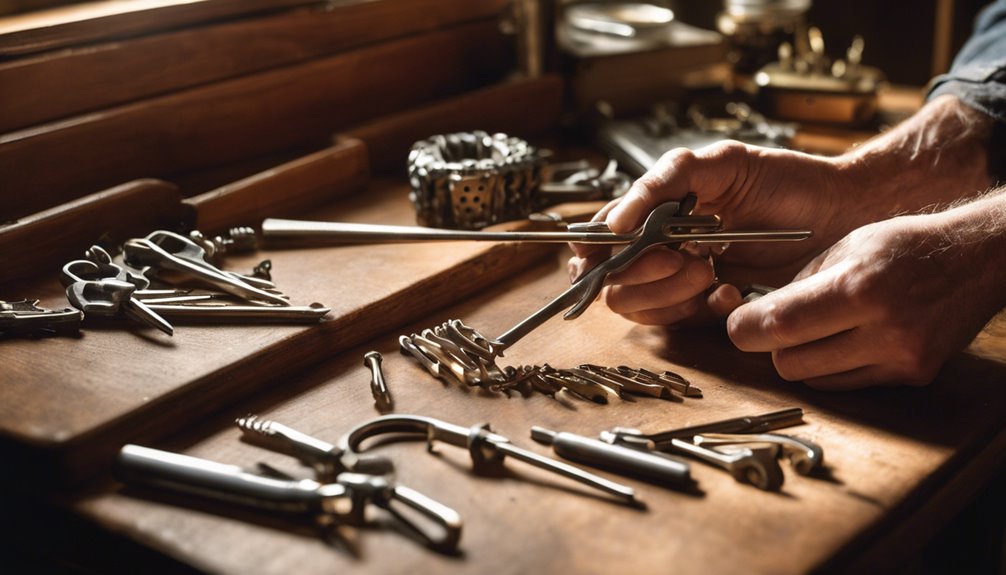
(978, 76)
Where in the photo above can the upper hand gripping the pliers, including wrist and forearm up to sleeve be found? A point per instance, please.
(937, 156)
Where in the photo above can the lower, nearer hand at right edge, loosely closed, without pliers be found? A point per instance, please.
(889, 304)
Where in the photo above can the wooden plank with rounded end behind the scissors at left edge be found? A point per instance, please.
(38, 245)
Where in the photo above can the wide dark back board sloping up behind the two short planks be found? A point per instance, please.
(243, 118)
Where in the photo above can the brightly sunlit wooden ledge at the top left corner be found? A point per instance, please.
(92, 22)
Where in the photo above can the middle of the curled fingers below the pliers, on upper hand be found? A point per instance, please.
(694, 280)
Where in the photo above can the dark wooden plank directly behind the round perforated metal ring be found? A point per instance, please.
(523, 108)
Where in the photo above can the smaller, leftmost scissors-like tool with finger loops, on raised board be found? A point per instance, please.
(88, 291)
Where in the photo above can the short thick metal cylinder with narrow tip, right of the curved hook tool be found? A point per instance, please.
(616, 458)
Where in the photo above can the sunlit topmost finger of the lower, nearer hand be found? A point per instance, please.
(802, 312)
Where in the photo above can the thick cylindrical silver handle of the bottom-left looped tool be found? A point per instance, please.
(222, 482)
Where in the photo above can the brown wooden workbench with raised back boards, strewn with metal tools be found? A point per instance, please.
(246, 131)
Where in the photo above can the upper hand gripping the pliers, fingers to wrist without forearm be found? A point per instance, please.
(750, 188)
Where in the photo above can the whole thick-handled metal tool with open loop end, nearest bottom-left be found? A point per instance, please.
(345, 500)
